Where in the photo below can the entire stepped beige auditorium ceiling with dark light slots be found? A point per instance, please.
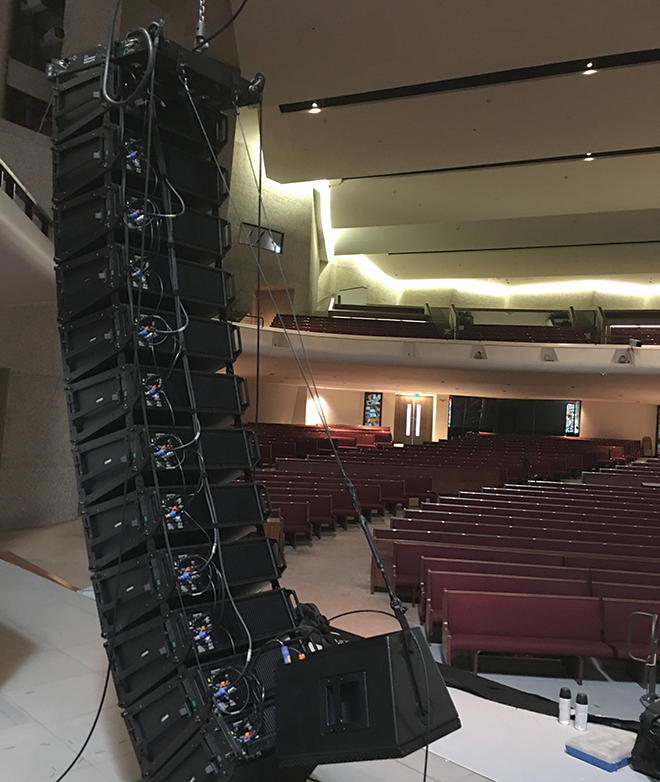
(473, 178)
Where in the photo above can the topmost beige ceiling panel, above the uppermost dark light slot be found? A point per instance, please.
(314, 48)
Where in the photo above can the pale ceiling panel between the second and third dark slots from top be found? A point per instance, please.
(569, 187)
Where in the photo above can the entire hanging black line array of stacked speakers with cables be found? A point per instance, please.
(216, 666)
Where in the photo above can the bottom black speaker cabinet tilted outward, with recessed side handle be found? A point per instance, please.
(358, 701)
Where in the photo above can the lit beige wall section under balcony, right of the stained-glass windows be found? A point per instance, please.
(618, 419)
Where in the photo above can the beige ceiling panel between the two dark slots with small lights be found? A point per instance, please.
(567, 115)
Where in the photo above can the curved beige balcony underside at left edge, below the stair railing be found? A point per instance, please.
(27, 272)
